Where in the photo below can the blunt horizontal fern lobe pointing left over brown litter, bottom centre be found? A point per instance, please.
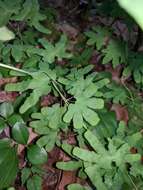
(69, 166)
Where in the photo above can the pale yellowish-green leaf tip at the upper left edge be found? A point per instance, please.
(6, 34)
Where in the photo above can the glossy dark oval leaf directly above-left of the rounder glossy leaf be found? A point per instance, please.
(20, 133)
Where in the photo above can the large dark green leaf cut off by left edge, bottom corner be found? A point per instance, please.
(8, 163)
